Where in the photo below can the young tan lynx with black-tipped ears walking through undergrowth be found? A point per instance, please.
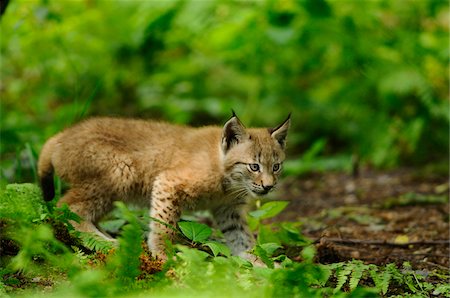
(167, 168)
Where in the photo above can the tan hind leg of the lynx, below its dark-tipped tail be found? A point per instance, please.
(91, 205)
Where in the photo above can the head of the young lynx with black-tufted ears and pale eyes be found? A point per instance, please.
(253, 158)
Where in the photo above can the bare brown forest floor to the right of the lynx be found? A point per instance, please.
(379, 217)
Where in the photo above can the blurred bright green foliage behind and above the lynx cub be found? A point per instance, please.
(365, 79)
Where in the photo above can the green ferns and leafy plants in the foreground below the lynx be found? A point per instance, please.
(43, 256)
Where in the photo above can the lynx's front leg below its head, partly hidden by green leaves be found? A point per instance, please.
(231, 221)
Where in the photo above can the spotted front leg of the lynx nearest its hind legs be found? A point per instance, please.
(164, 211)
